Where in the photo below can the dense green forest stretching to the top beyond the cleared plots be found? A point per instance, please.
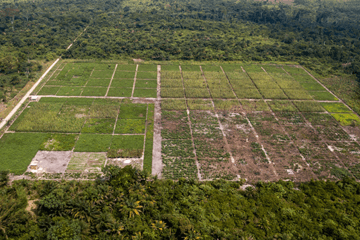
(321, 35)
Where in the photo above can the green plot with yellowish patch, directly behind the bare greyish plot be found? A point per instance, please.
(59, 142)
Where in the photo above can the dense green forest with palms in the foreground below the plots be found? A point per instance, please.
(127, 205)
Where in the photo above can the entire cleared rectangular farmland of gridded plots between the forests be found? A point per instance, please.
(231, 121)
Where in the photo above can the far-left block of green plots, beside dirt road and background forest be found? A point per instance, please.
(110, 80)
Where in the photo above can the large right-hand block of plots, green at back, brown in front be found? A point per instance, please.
(255, 122)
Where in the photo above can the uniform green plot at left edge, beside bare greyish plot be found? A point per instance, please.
(18, 149)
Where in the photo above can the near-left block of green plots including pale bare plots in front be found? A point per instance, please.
(78, 135)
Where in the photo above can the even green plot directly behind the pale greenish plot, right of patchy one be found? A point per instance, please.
(93, 143)
